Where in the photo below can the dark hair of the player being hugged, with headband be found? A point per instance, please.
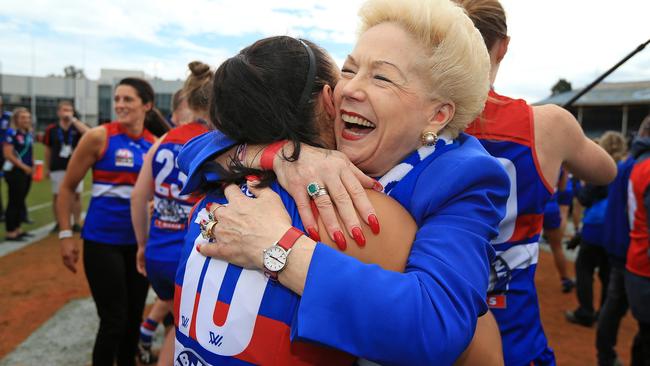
(267, 93)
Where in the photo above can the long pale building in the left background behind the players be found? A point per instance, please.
(93, 99)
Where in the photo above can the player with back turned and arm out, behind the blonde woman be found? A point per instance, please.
(532, 142)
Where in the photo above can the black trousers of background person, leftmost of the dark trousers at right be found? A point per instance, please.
(589, 258)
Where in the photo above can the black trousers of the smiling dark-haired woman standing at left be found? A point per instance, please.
(119, 292)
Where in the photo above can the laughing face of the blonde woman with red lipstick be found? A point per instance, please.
(383, 103)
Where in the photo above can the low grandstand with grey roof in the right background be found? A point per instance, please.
(609, 106)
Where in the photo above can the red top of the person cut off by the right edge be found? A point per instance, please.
(638, 254)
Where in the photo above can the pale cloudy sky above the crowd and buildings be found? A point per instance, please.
(573, 39)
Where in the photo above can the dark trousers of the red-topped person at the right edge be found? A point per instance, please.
(638, 295)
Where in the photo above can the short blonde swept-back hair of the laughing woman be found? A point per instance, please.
(457, 64)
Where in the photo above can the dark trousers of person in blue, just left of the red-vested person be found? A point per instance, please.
(611, 314)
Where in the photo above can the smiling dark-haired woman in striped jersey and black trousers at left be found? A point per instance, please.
(115, 152)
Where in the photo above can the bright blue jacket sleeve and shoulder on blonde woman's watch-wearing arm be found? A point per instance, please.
(426, 315)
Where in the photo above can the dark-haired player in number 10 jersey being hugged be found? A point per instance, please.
(256, 327)
